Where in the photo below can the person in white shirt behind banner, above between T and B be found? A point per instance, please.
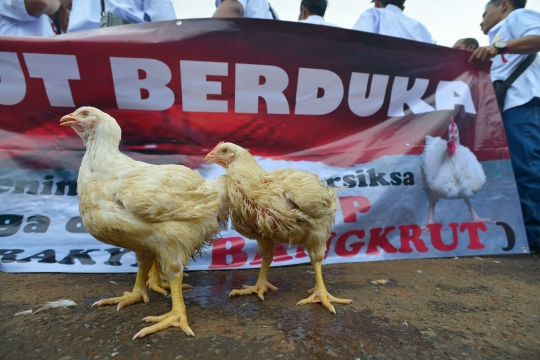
(86, 14)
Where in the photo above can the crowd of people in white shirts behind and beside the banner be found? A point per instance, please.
(513, 30)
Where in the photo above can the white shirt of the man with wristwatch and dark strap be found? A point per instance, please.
(519, 23)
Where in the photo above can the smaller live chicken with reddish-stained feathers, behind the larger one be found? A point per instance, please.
(287, 206)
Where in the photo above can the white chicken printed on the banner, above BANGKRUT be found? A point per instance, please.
(451, 171)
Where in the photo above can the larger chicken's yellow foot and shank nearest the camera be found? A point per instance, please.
(176, 317)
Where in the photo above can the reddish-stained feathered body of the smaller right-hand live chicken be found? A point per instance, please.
(286, 205)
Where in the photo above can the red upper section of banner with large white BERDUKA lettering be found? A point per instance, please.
(311, 92)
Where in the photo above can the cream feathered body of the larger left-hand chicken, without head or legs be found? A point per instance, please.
(166, 210)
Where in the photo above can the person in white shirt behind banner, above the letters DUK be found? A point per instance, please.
(387, 18)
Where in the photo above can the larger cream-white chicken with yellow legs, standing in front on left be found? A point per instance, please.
(166, 212)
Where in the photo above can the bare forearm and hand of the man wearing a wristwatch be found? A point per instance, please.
(525, 45)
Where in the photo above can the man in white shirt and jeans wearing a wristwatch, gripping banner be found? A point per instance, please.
(514, 32)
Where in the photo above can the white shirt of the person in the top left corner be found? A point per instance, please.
(15, 20)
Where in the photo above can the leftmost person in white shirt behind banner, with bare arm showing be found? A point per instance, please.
(28, 17)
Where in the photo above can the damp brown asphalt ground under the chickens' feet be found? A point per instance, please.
(463, 308)
